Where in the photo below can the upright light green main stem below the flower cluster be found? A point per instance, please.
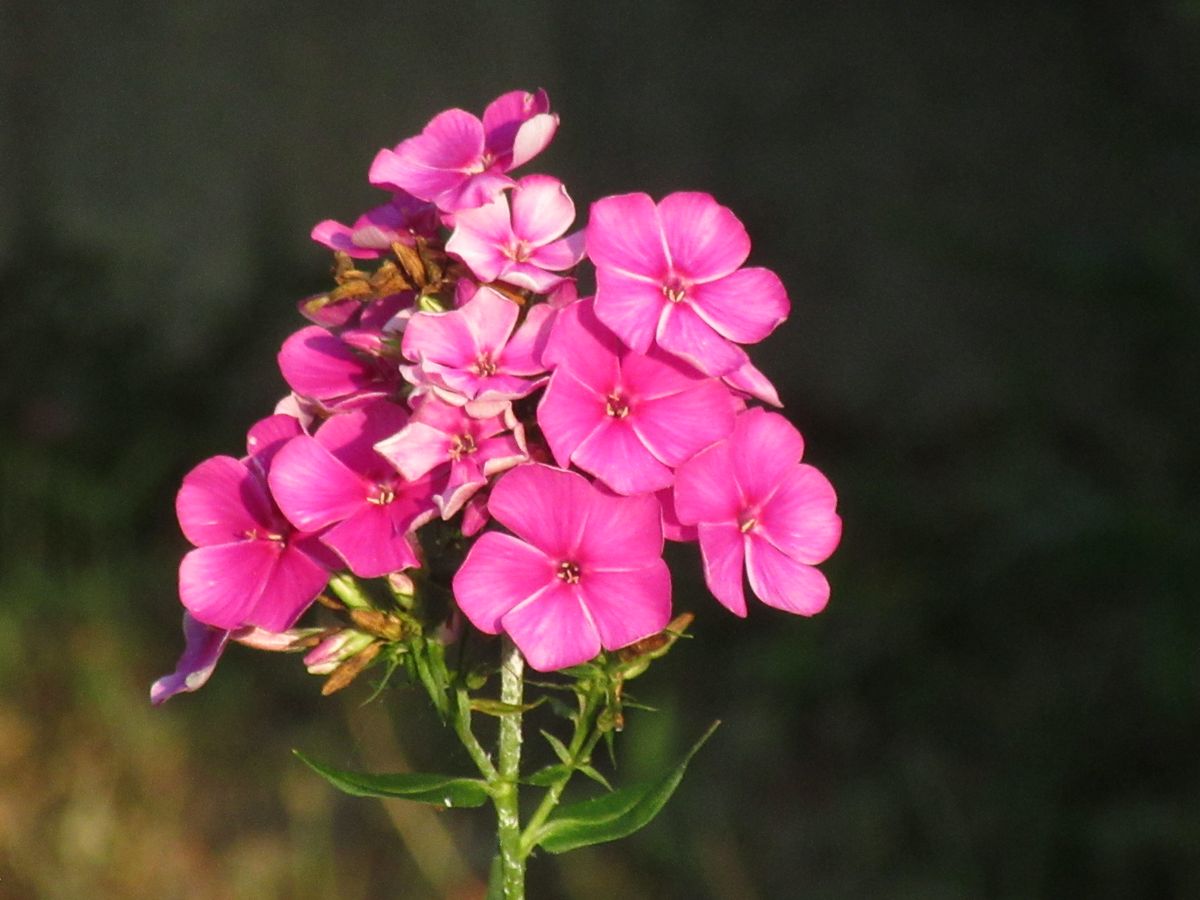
(506, 797)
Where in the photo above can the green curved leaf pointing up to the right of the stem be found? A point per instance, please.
(614, 815)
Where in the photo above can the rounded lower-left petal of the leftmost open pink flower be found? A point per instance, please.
(221, 585)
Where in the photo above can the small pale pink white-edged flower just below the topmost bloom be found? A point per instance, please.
(519, 239)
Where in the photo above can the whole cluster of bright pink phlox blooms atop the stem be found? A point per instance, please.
(464, 415)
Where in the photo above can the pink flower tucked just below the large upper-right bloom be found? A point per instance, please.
(627, 418)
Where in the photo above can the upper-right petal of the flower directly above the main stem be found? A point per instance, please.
(621, 532)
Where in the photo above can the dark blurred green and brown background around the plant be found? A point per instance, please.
(988, 217)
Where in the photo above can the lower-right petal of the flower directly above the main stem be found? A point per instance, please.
(628, 605)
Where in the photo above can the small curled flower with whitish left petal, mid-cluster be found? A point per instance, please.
(467, 451)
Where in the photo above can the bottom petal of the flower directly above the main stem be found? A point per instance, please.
(553, 629)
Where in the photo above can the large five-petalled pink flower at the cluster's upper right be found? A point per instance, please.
(670, 275)
